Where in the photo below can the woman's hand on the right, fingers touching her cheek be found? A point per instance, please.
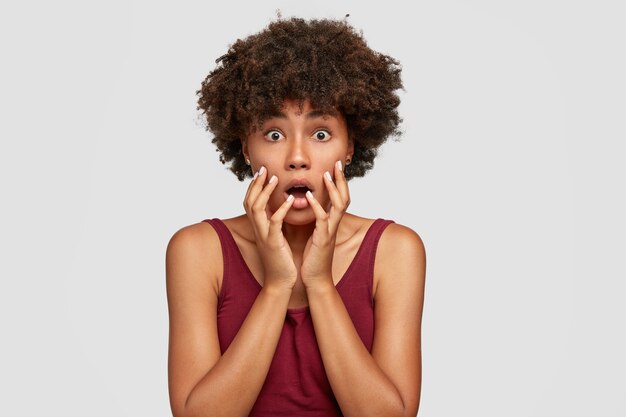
(317, 262)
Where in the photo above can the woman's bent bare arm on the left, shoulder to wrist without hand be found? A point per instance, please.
(201, 381)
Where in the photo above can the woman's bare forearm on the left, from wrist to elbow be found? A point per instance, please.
(231, 387)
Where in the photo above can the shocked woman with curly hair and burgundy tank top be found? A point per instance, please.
(297, 308)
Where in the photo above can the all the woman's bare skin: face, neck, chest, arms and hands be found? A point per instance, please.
(298, 254)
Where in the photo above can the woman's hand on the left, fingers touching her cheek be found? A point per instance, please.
(276, 256)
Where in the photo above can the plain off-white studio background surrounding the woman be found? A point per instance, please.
(511, 169)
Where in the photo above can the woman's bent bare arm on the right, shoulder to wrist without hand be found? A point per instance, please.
(386, 382)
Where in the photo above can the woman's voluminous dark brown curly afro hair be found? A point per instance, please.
(324, 61)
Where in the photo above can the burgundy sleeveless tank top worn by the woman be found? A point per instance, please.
(296, 384)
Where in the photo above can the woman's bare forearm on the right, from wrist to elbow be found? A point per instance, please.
(359, 384)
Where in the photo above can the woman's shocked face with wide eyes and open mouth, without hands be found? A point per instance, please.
(299, 147)
